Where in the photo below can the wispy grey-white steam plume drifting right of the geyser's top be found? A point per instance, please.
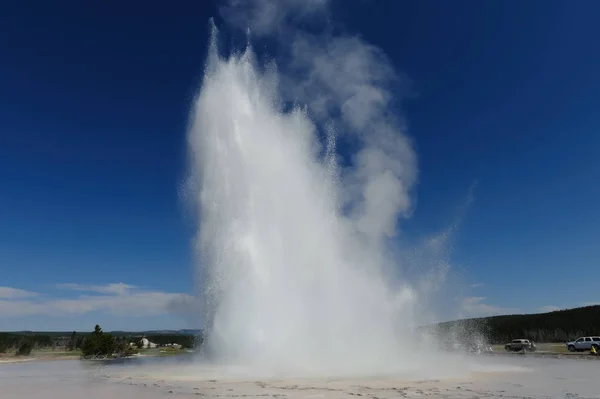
(344, 81)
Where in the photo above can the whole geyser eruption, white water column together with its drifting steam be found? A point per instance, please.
(293, 239)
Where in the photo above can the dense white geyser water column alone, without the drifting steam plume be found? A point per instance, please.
(290, 282)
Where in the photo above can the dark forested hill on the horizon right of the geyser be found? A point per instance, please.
(557, 326)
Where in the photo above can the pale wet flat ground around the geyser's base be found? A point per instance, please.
(487, 377)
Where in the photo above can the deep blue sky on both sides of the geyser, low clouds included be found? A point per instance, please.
(93, 110)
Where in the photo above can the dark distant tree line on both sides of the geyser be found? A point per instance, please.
(557, 326)
